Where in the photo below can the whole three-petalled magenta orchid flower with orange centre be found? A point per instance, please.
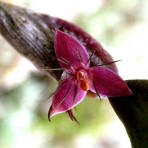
(78, 77)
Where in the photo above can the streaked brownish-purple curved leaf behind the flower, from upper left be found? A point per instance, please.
(32, 35)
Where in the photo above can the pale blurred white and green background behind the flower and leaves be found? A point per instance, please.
(122, 27)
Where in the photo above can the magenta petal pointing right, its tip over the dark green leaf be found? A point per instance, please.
(108, 83)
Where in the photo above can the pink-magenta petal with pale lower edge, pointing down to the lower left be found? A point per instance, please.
(67, 96)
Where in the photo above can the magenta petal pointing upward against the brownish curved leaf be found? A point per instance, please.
(70, 51)
